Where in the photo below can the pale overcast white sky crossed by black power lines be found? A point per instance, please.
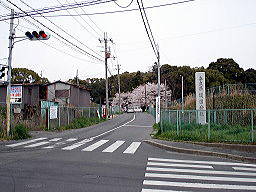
(192, 34)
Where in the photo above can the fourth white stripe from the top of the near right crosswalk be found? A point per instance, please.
(195, 177)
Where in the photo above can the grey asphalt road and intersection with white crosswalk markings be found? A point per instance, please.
(112, 157)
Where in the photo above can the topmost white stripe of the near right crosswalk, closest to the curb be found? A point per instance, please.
(202, 162)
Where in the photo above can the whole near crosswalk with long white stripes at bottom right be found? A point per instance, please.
(174, 175)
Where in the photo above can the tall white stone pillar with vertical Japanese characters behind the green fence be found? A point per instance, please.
(200, 97)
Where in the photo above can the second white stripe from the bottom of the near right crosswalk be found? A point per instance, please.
(199, 185)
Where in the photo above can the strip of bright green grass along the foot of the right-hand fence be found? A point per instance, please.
(196, 132)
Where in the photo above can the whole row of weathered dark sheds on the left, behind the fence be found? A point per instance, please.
(65, 94)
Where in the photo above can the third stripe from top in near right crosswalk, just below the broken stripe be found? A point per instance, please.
(200, 171)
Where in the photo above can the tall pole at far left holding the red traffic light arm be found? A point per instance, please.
(8, 99)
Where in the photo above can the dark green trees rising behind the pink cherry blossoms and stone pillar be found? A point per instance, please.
(223, 71)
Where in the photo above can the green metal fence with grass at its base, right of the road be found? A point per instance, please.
(226, 125)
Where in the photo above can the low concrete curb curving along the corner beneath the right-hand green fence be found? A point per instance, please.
(201, 152)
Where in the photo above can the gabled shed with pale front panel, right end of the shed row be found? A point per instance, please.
(67, 94)
